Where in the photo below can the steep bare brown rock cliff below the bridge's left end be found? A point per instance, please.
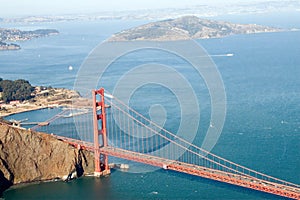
(27, 156)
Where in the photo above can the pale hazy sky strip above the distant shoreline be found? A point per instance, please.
(14, 8)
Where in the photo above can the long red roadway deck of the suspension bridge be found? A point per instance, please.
(218, 175)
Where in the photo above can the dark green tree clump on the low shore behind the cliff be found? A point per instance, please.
(15, 90)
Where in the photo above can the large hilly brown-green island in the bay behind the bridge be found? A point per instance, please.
(187, 27)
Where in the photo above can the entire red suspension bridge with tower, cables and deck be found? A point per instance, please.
(122, 132)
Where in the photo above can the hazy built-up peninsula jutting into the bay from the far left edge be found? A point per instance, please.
(9, 35)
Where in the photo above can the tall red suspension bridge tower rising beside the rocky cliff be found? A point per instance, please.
(101, 160)
